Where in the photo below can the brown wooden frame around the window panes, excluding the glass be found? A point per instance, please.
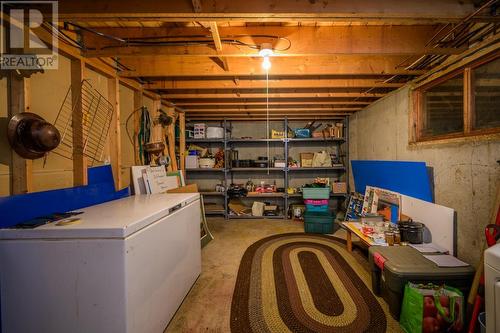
(466, 71)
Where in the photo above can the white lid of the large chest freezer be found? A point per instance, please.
(115, 219)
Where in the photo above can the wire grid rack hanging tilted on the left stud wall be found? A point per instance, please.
(95, 117)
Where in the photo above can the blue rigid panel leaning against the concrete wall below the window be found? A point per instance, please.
(408, 178)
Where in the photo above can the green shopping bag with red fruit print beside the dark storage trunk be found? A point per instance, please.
(430, 308)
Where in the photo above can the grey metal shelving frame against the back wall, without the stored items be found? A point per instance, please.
(283, 173)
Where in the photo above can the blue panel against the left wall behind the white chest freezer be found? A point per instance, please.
(20, 208)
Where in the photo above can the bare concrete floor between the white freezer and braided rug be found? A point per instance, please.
(207, 307)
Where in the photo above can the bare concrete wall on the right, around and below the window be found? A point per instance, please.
(466, 174)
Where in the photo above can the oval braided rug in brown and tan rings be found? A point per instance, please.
(303, 283)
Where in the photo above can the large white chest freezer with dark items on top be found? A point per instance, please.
(126, 267)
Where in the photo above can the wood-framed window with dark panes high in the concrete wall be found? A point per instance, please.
(462, 103)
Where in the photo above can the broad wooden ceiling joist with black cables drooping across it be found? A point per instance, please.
(289, 41)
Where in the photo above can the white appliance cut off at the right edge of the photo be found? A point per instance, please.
(492, 288)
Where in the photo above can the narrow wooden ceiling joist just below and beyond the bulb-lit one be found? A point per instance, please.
(174, 84)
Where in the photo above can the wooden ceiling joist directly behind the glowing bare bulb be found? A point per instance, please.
(159, 65)
